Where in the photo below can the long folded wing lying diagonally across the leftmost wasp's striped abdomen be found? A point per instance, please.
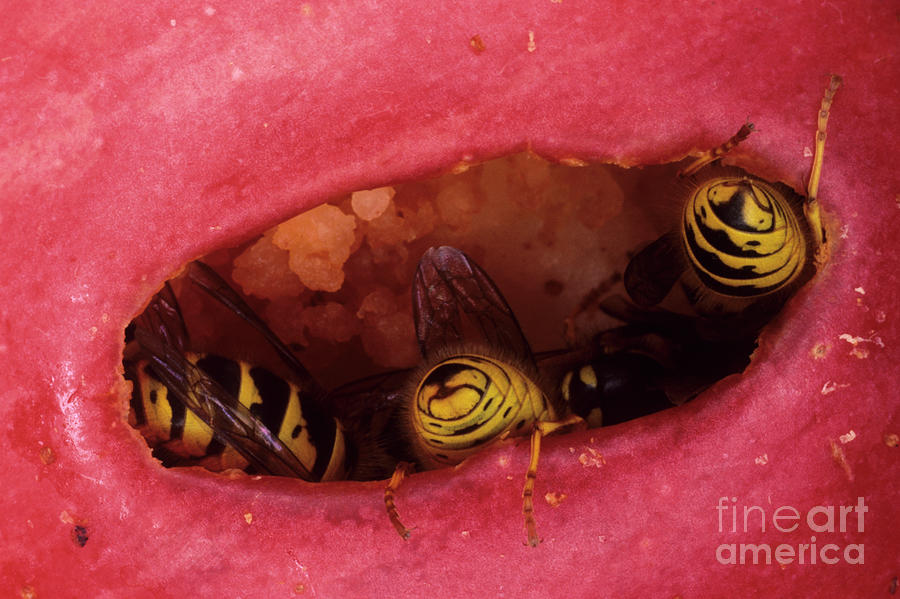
(233, 423)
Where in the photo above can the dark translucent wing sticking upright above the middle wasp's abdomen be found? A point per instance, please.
(456, 303)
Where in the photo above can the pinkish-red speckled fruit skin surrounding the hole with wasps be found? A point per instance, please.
(136, 138)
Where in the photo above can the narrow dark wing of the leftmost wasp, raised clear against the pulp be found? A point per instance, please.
(215, 286)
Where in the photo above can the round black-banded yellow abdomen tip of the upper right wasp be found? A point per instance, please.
(742, 238)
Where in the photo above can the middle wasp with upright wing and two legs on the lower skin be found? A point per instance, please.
(479, 381)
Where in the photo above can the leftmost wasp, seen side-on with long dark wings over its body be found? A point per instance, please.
(202, 408)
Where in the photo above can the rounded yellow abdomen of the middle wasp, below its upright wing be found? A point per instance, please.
(467, 401)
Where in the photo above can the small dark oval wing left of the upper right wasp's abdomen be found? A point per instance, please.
(653, 272)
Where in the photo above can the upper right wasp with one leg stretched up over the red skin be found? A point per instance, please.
(743, 244)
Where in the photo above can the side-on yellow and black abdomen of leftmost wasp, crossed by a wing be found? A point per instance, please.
(314, 437)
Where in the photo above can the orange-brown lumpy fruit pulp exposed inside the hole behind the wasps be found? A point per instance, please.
(335, 282)
